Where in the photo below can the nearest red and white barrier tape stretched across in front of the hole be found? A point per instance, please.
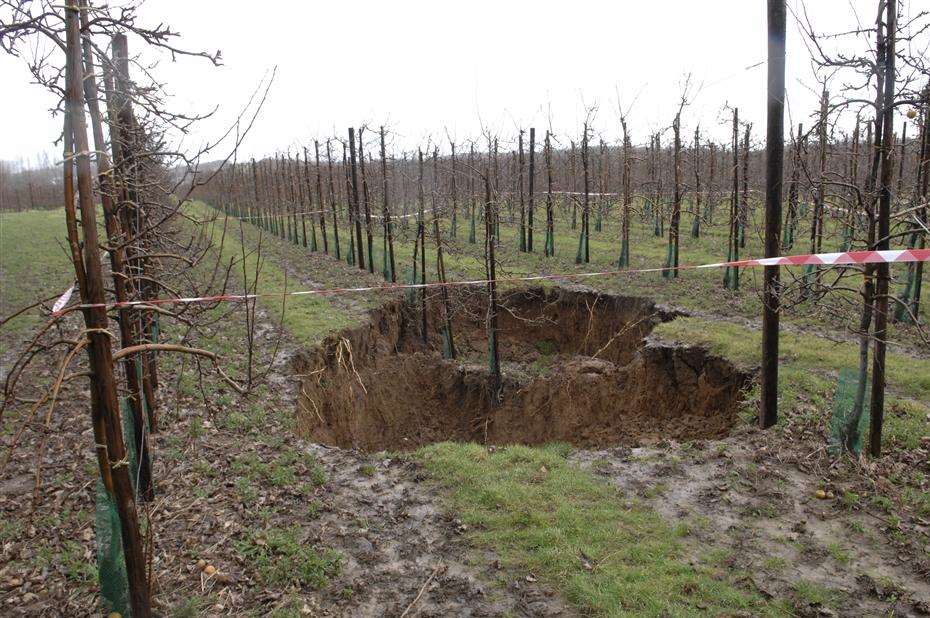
(846, 258)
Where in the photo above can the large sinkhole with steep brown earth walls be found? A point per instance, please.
(577, 366)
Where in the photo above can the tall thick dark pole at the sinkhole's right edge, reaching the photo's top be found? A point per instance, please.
(774, 165)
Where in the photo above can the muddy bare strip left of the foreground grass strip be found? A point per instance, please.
(403, 550)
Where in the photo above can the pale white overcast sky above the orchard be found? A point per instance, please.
(425, 67)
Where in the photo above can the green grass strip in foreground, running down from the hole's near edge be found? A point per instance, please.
(544, 516)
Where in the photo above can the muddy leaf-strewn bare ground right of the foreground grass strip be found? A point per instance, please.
(751, 504)
